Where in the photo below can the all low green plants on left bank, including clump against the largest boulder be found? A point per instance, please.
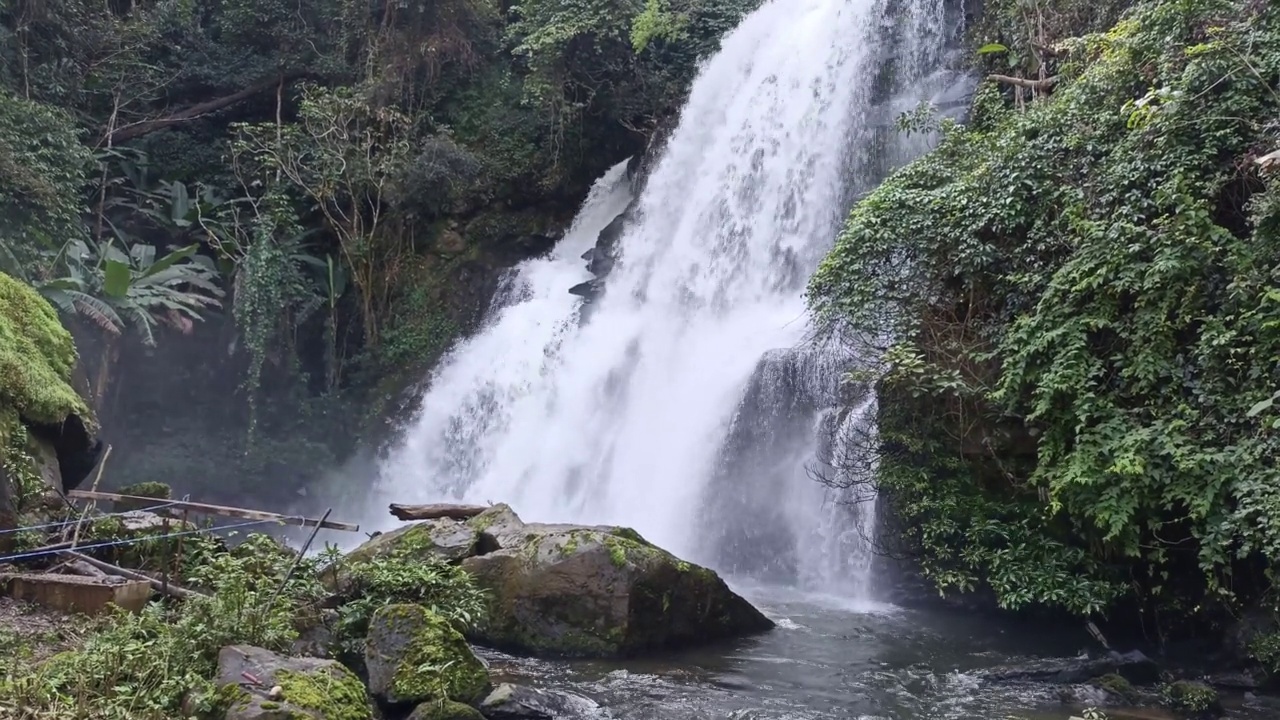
(161, 663)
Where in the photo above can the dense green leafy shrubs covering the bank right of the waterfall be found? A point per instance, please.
(1077, 297)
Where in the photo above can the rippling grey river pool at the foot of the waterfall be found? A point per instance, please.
(830, 659)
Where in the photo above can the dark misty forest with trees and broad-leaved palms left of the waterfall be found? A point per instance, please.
(252, 213)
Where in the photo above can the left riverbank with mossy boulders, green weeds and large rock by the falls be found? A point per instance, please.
(250, 631)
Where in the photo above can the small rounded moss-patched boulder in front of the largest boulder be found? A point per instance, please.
(415, 657)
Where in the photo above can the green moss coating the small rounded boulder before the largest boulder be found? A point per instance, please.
(437, 663)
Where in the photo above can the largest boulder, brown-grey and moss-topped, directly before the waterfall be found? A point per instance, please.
(596, 593)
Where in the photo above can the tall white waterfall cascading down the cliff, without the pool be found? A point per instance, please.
(689, 403)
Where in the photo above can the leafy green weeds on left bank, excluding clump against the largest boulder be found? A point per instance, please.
(143, 667)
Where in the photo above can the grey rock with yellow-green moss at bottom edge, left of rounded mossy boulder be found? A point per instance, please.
(322, 690)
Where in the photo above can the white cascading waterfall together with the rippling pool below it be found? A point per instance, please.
(688, 402)
